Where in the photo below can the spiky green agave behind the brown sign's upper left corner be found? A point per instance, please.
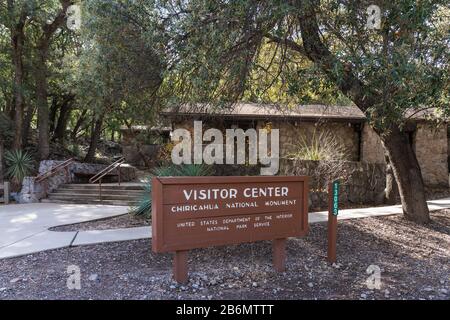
(144, 206)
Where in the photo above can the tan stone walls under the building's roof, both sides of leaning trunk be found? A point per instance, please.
(430, 143)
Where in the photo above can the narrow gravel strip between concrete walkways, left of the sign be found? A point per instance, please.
(128, 220)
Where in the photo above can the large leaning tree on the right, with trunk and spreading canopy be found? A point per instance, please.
(389, 74)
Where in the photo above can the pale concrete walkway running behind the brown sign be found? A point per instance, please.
(24, 228)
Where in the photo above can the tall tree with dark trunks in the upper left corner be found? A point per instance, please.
(32, 26)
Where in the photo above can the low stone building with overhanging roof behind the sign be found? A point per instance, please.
(345, 125)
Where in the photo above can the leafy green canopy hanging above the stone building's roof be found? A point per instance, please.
(232, 50)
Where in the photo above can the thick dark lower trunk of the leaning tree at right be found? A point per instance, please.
(407, 172)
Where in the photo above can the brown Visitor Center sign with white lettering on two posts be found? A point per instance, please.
(197, 212)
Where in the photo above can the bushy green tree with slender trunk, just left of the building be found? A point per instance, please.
(120, 72)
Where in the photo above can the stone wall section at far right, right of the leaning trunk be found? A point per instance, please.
(430, 144)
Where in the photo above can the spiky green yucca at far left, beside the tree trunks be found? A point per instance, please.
(19, 164)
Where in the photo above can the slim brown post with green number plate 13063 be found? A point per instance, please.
(333, 211)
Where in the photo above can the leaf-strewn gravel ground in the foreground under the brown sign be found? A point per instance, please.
(413, 261)
